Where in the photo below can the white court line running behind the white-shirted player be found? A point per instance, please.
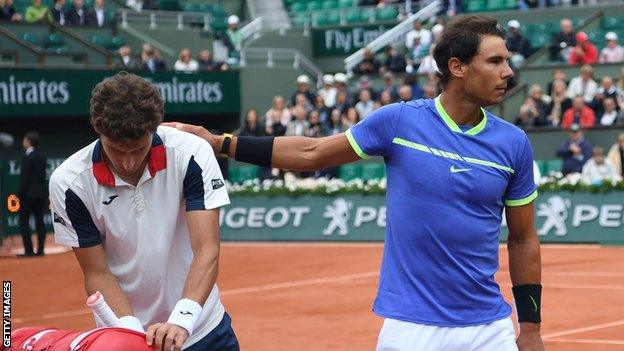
(251, 289)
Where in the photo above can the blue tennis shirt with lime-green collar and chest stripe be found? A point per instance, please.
(447, 186)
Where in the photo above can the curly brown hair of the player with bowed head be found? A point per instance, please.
(126, 107)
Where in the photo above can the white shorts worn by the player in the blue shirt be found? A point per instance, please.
(397, 335)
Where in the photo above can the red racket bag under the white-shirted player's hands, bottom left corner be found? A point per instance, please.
(53, 339)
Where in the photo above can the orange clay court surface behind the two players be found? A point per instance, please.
(300, 297)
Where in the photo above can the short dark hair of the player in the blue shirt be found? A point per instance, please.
(461, 38)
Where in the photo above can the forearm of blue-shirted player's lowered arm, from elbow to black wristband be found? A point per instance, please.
(524, 259)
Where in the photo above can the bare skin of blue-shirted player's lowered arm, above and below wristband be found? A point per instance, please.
(525, 265)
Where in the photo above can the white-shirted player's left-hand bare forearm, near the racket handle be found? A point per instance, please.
(108, 286)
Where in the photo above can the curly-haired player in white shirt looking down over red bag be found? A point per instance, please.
(140, 208)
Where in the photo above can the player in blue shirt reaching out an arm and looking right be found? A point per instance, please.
(452, 169)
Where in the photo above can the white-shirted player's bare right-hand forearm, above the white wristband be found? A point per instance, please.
(202, 274)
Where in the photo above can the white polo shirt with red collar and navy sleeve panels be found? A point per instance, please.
(143, 229)
